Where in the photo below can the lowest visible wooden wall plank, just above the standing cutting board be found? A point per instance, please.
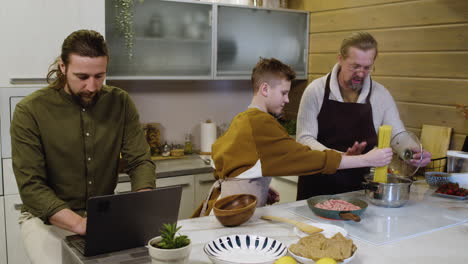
(415, 115)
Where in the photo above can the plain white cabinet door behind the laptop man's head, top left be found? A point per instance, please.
(33, 31)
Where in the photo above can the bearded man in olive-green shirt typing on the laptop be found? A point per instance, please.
(66, 142)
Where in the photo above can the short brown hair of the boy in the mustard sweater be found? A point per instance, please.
(269, 70)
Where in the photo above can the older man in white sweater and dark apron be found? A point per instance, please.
(343, 111)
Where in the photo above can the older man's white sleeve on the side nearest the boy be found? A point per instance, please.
(309, 108)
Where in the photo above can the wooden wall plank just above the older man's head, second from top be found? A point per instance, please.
(399, 14)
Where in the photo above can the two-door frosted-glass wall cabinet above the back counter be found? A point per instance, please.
(205, 41)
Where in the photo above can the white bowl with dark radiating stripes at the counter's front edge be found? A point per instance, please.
(245, 249)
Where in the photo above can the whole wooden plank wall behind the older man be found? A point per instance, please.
(423, 48)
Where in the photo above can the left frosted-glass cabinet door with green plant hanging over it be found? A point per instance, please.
(171, 40)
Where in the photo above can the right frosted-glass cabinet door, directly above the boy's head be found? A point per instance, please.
(245, 34)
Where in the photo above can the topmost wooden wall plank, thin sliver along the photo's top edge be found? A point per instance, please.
(322, 5)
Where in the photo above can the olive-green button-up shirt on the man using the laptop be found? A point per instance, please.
(64, 153)
